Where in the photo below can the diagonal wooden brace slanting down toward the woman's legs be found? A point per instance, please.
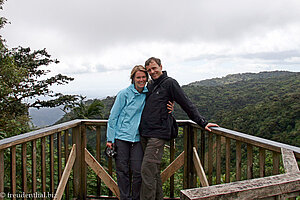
(100, 171)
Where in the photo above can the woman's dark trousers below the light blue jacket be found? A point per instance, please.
(129, 157)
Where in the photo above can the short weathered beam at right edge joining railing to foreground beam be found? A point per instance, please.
(289, 161)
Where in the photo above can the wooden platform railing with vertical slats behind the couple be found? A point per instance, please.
(52, 163)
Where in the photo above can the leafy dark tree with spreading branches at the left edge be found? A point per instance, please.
(23, 83)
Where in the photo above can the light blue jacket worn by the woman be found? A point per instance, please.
(125, 115)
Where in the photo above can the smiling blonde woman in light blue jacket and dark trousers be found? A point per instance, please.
(123, 134)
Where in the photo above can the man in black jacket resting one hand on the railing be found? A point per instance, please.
(156, 125)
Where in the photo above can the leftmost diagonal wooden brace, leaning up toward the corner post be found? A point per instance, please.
(66, 174)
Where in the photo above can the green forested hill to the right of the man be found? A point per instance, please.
(266, 104)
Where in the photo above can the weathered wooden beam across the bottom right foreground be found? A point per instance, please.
(248, 189)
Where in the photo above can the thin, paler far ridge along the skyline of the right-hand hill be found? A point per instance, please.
(233, 78)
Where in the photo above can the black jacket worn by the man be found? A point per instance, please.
(156, 122)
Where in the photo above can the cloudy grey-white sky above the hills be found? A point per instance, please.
(99, 41)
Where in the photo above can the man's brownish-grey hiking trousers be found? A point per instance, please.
(151, 181)
